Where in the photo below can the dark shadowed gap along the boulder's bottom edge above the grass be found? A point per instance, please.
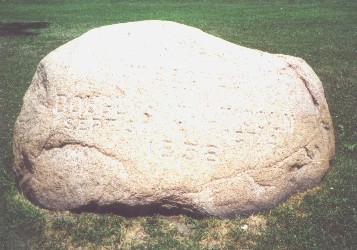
(125, 210)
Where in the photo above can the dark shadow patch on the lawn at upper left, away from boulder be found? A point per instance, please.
(21, 29)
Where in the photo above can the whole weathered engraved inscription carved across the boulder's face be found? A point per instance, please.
(248, 128)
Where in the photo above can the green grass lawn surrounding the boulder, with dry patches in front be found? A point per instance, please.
(323, 32)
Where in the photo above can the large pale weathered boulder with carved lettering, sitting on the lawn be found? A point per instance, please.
(153, 115)
